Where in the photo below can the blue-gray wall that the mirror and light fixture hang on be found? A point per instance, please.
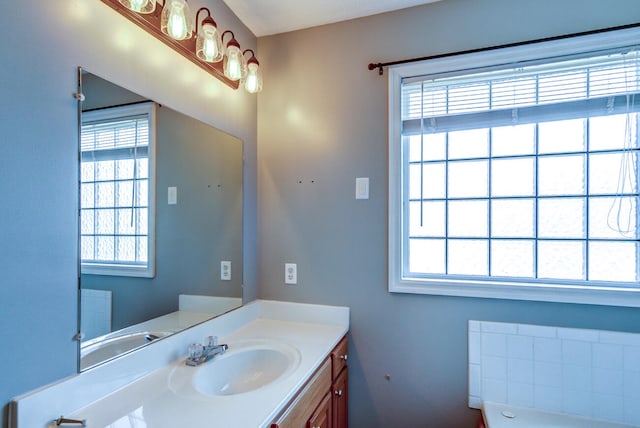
(41, 44)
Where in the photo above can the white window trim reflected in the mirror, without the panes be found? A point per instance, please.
(148, 271)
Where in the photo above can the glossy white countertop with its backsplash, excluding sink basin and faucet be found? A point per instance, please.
(136, 390)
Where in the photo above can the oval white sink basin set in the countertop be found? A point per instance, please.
(244, 368)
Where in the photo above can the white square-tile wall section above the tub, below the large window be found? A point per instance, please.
(589, 373)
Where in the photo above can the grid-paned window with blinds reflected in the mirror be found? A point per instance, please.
(117, 191)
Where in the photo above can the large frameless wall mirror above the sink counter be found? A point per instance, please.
(160, 221)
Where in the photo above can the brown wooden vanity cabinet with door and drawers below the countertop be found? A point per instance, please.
(322, 401)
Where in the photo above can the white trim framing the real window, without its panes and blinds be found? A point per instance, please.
(549, 292)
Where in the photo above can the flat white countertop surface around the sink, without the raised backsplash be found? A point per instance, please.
(152, 401)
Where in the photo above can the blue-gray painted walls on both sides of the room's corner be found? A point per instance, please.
(322, 122)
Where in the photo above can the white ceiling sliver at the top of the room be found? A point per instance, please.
(265, 17)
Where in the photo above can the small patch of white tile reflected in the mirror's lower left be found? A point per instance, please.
(96, 313)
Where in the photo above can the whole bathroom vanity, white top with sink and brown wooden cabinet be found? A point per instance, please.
(286, 366)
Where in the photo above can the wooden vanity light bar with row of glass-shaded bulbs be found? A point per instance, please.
(170, 21)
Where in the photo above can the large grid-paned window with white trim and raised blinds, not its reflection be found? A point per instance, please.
(518, 178)
